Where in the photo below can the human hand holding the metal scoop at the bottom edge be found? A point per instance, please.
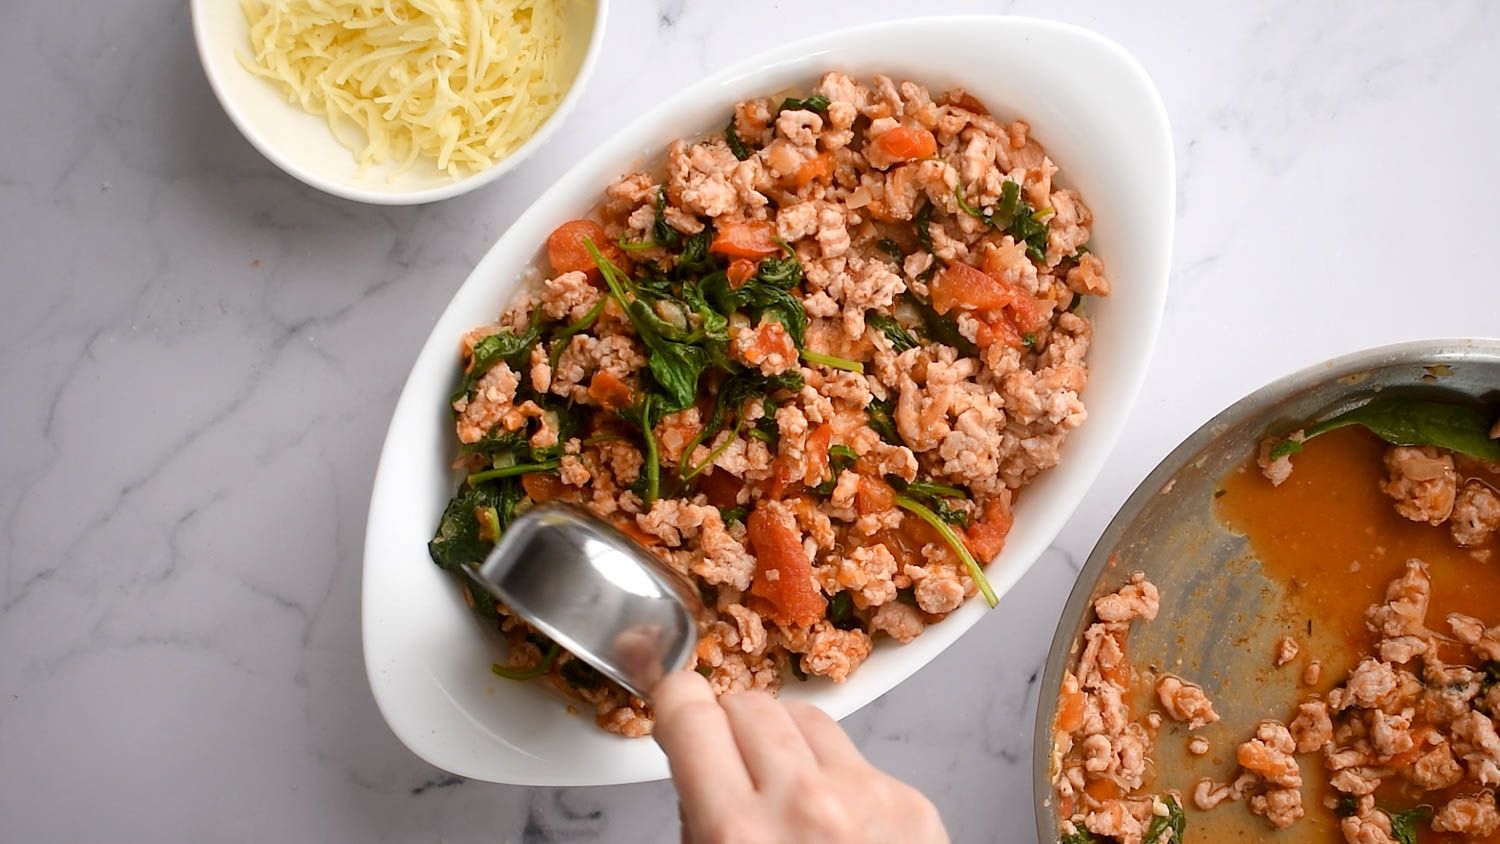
(752, 770)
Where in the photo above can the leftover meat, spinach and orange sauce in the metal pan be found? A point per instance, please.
(1387, 531)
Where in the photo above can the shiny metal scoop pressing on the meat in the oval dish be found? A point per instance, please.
(596, 593)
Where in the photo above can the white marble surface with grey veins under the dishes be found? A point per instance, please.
(200, 358)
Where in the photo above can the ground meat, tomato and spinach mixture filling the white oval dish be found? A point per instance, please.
(811, 364)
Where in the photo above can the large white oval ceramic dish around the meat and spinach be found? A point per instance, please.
(1099, 116)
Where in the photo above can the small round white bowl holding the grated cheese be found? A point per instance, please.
(302, 143)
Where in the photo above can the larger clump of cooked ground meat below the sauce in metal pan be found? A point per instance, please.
(1427, 725)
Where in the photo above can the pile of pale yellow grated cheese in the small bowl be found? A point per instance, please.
(461, 83)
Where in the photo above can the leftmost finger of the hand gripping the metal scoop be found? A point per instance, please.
(695, 735)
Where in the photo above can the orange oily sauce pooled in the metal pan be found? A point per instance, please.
(1336, 540)
